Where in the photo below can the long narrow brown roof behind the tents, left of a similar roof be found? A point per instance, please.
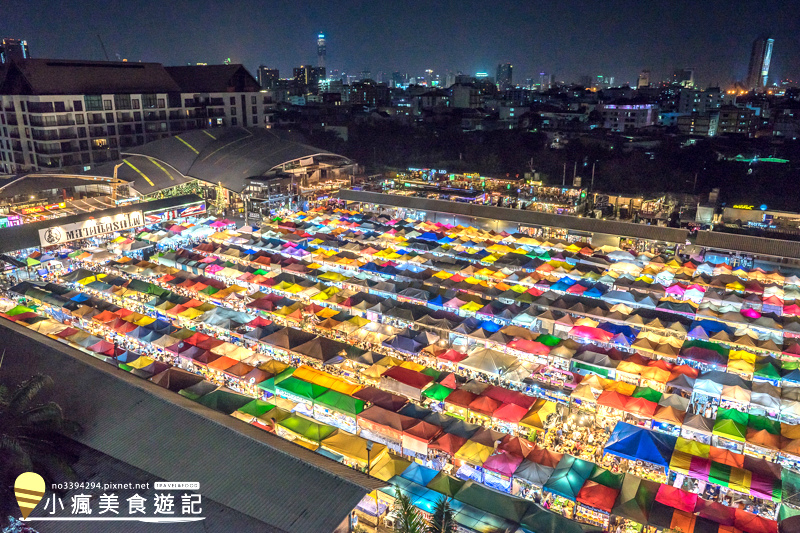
(532, 218)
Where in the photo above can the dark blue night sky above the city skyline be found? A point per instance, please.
(567, 38)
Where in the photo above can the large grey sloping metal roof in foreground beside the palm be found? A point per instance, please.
(169, 436)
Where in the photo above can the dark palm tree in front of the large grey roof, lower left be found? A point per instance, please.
(34, 436)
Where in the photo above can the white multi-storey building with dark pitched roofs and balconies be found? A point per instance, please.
(72, 115)
